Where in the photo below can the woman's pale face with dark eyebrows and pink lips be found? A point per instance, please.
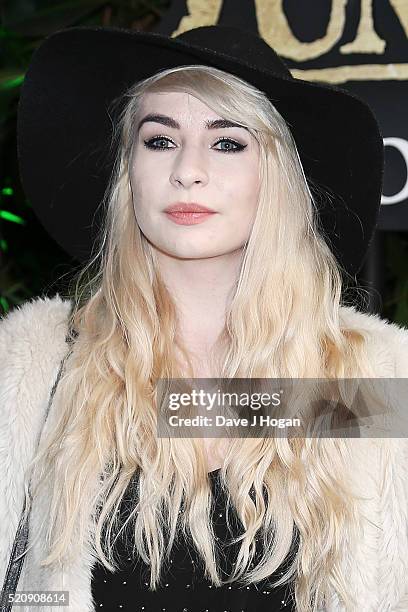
(176, 158)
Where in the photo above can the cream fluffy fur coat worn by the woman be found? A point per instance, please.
(32, 343)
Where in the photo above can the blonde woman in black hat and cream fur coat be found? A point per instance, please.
(251, 290)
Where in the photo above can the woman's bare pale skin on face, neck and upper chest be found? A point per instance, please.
(198, 263)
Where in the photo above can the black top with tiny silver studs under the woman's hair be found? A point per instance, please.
(183, 587)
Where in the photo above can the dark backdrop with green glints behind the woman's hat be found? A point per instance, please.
(32, 264)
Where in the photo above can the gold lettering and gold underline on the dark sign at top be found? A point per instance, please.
(274, 28)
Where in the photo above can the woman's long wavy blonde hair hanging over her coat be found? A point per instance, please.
(283, 321)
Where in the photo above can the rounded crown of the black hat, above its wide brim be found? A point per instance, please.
(239, 44)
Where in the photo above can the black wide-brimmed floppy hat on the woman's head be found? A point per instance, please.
(65, 115)
